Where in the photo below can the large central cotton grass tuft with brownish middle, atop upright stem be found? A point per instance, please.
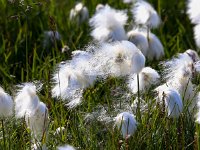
(118, 59)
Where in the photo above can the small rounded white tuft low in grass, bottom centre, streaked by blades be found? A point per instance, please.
(126, 123)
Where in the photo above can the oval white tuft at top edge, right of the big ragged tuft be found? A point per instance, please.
(145, 14)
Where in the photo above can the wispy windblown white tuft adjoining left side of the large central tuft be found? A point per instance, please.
(71, 78)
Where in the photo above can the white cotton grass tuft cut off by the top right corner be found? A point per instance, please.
(193, 10)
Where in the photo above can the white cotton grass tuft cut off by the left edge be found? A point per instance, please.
(6, 104)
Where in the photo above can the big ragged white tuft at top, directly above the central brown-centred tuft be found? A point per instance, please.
(108, 24)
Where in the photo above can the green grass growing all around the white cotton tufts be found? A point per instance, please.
(23, 59)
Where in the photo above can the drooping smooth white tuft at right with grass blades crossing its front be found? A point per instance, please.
(172, 101)
